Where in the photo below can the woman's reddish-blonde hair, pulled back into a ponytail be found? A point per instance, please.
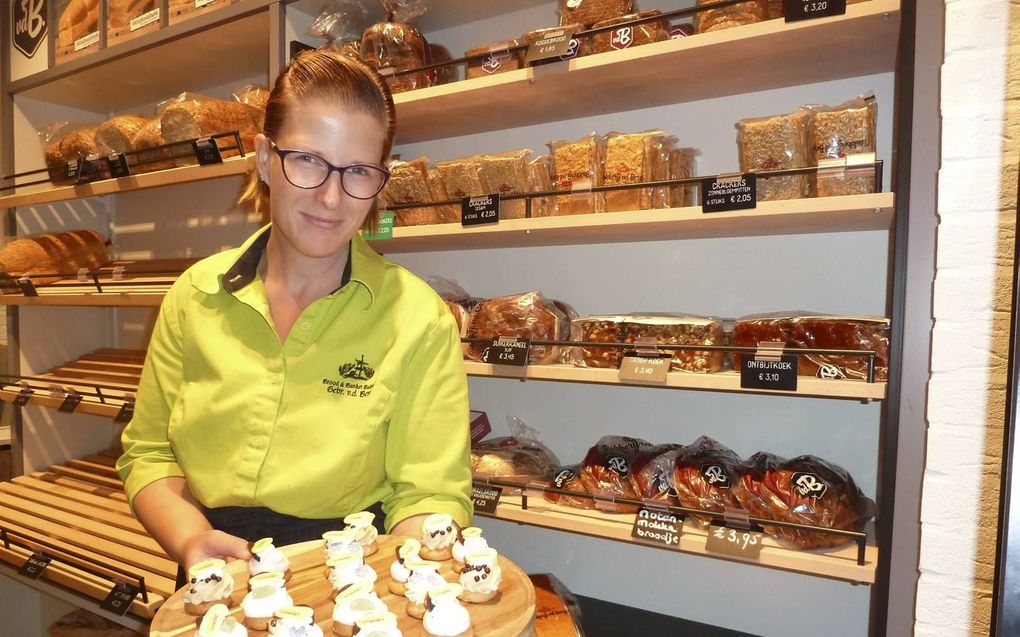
(334, 79)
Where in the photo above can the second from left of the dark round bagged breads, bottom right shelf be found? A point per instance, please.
(606, 468)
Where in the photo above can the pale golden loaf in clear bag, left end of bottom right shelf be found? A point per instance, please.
(520, 457)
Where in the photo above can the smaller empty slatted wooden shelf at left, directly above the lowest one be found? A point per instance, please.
(106, 379)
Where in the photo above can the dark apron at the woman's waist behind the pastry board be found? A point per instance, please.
(253, 524)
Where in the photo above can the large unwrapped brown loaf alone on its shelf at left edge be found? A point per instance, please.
(59, 253)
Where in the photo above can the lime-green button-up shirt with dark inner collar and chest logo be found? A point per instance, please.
(366, 401)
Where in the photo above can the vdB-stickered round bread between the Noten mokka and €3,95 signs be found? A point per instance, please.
(704, 476)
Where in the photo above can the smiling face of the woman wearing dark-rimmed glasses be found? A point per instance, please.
(320, 223)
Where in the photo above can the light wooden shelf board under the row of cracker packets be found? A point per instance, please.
(829, 215)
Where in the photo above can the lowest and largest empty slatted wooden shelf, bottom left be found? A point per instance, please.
(79, 514)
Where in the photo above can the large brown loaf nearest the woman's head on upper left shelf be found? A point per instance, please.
(193, 119)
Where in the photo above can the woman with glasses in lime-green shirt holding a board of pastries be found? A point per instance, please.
(301, 377)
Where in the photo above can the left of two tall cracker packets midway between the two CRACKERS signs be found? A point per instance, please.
(579, 169)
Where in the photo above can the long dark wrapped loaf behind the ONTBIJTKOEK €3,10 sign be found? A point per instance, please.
(822, 333)
